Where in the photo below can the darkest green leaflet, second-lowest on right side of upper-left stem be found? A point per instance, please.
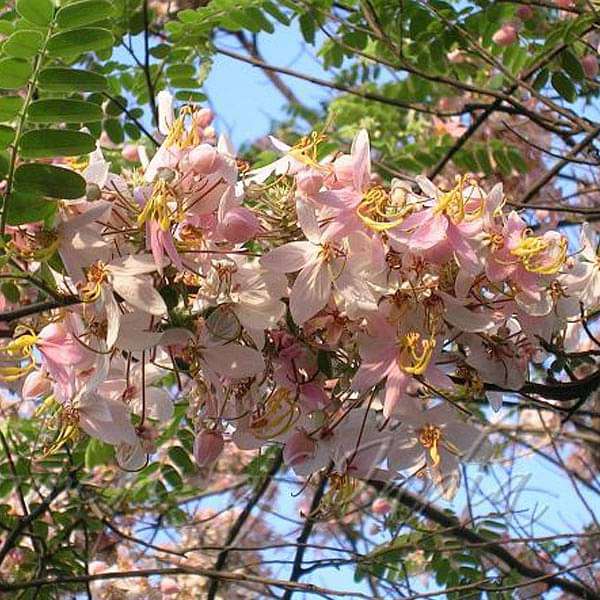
(49, 180)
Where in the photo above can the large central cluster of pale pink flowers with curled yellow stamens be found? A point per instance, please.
(306, 303)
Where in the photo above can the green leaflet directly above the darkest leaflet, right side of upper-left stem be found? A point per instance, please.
(48, 143)
